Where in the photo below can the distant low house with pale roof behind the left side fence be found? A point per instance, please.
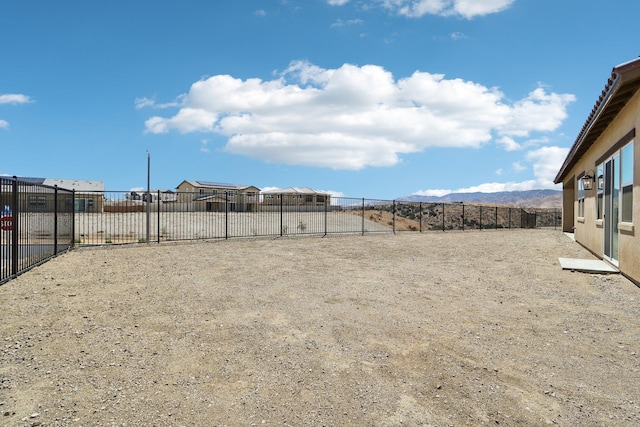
(89, 195)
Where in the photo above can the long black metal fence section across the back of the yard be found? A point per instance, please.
(125, 217)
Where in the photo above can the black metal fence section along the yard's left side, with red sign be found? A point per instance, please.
(36, 223)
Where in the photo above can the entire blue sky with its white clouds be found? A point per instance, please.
(362, 98)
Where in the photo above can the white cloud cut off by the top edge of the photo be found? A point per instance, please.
(416, 8)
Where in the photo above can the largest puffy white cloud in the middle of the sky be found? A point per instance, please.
(353, 116)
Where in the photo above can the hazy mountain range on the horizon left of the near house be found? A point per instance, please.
(530, 198)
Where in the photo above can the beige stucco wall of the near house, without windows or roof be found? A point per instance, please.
(589, 231)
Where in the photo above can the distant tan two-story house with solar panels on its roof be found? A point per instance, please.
(217, 197)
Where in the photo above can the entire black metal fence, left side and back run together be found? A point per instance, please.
(40, 221)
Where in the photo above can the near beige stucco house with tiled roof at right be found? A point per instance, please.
(601, 175)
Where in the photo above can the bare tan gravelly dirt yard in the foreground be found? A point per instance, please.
(441, 329)
